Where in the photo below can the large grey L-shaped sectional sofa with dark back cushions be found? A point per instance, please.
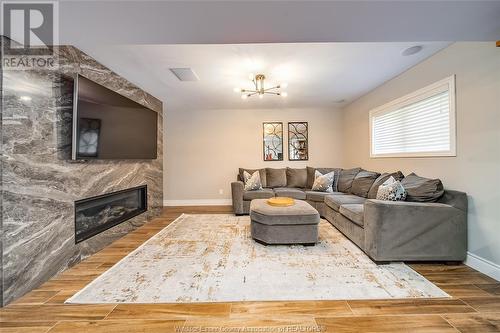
(430, 226)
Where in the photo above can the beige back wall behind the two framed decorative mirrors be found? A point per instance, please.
(205, 148)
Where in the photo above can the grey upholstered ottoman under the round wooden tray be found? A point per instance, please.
(297, 224)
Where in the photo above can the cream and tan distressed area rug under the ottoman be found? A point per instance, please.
(212, 258)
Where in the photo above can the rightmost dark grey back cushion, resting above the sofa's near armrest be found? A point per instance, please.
(422, 189)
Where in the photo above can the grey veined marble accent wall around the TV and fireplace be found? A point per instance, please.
(39, 181)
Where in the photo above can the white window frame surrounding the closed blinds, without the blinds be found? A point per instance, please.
(447, 83)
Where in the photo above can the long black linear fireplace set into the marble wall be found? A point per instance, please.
(97, 214)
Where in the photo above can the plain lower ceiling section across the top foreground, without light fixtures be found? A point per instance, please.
(227, 22)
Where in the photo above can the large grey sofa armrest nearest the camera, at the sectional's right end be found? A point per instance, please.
(400, 230)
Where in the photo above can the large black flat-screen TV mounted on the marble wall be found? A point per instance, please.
(107, 125)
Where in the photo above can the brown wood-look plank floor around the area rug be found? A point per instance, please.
(475, 306)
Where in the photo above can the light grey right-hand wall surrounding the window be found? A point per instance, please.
(476, 168)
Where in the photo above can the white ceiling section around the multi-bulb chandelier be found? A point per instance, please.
(318, 74)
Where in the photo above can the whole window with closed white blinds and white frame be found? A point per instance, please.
(416, 125)
